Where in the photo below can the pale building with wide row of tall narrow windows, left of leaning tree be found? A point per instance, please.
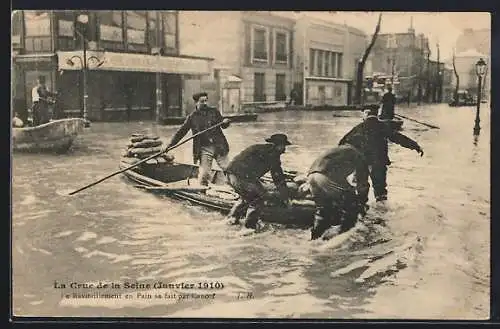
(326, 56)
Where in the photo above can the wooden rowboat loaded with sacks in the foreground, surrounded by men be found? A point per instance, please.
(178, 181)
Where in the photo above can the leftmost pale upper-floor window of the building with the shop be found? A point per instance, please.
(37, 30)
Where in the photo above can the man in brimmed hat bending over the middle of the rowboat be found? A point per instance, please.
(245, 170)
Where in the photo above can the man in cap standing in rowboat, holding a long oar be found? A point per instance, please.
(210, 145)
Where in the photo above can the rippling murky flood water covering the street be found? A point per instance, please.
(425, 254)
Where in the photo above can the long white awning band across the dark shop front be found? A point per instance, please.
(136, 62)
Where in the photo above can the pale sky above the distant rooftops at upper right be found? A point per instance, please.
(442, 27)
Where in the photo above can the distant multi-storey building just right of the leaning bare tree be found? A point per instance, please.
(406, 57)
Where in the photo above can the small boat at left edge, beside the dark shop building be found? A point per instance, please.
(55, 136)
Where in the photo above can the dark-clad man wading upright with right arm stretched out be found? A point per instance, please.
(371, 138)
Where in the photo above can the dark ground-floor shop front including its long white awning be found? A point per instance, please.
(124, 86)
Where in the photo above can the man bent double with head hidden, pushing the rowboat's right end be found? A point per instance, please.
(337, 201)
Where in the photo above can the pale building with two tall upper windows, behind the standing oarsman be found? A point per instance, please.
(252, 54)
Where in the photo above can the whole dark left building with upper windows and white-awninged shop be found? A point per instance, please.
(126, 83)
